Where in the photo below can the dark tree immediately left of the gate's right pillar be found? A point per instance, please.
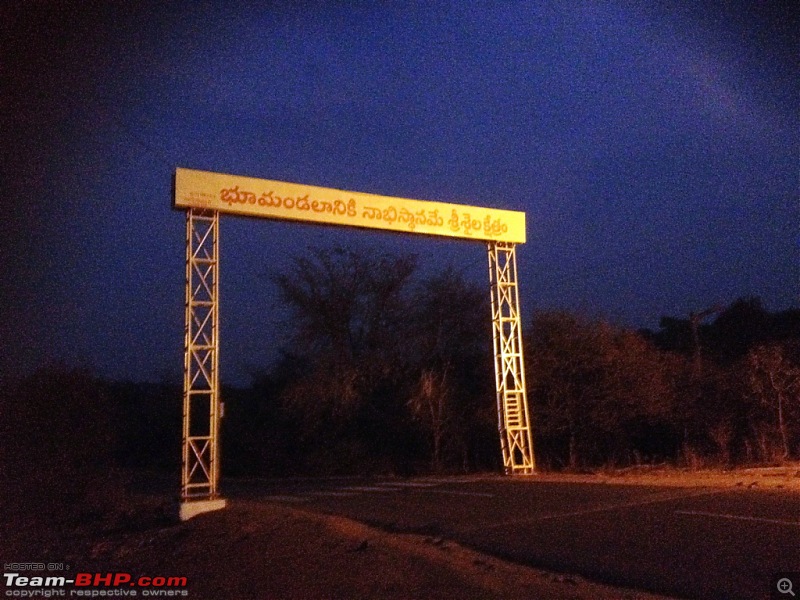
(450, 345)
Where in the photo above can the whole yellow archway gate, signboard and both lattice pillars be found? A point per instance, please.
(204, 195)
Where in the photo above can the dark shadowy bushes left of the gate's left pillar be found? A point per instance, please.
(68, 441)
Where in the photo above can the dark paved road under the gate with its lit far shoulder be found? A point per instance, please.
(697, 535)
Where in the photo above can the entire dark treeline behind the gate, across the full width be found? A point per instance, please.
(388, 370)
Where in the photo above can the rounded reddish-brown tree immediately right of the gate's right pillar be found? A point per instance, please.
(600, 394)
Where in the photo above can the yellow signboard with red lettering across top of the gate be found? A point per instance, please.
(297, 202)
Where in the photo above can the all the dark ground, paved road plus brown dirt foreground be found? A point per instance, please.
(690, 535)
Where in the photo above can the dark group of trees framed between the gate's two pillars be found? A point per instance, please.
(383, 370)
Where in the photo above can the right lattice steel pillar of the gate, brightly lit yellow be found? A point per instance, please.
(512, 401)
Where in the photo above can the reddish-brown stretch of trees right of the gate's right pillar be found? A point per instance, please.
(724, 393)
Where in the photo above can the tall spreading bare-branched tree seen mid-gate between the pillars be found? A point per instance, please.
(348, 310)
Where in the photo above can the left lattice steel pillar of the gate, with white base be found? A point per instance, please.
(201, 406)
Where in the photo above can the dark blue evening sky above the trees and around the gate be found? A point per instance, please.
(654, 149)
